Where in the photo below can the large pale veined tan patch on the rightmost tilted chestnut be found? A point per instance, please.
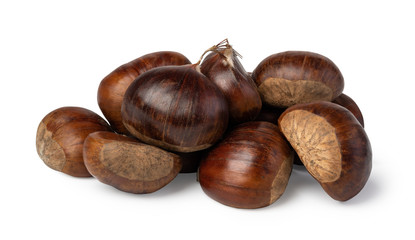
(315, 142)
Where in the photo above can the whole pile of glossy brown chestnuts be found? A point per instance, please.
(241, 132)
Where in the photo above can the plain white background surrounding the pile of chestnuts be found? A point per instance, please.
(55, 53)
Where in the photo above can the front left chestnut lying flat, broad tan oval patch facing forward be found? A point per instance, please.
(128, 164)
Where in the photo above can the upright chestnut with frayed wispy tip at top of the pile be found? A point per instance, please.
(224, 69)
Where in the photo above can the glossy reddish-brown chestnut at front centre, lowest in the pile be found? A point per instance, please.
(250, 168)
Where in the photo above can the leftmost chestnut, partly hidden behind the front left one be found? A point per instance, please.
(60, 137)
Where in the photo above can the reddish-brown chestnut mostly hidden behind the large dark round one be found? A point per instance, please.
(112, 88)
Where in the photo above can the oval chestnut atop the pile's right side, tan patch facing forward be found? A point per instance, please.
(293, 77)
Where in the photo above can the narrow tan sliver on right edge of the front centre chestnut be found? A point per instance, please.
(281, 179)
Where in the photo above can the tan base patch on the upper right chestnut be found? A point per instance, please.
(280, 92)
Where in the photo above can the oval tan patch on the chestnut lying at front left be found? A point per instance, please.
(136, 162)
